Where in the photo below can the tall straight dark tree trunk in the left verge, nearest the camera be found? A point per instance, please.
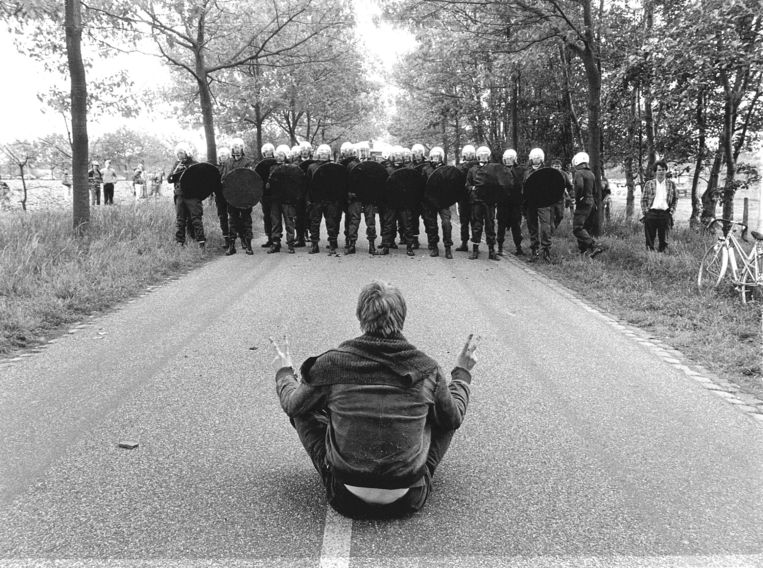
(80, 188)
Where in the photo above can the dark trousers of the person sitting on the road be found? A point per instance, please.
(311, 429)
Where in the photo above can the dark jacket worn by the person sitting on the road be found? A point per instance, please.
(383, 397)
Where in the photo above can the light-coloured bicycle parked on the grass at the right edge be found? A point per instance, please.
(728, 260)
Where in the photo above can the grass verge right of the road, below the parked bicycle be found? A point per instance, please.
(658, 293)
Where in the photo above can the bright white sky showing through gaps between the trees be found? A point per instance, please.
(23, 116)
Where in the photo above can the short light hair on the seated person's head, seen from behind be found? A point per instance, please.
(381, 309)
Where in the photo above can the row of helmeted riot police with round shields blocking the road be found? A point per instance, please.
(300, 189)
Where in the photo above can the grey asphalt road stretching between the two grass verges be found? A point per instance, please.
(582, 445)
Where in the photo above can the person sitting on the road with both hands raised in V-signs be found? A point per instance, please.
(375, 414)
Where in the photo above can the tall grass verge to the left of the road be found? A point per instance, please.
(49, 278)
